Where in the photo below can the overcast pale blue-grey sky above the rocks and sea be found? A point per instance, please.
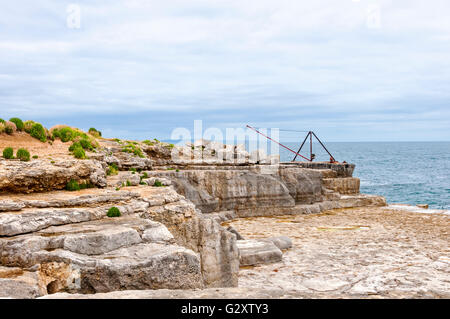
(367, 70)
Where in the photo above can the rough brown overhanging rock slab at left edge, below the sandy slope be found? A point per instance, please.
(41, 175)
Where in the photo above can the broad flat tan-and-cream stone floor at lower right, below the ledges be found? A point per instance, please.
(365, 252)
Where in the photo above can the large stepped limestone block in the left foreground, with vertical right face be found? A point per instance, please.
(67, 243)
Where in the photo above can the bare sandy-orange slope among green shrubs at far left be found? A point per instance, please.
(34, 146)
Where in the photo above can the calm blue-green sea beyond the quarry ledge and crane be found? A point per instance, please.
(403, 172)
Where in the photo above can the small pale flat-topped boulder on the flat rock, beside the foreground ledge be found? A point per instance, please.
(257, 252)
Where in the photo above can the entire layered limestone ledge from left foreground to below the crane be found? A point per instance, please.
(169, 235)
